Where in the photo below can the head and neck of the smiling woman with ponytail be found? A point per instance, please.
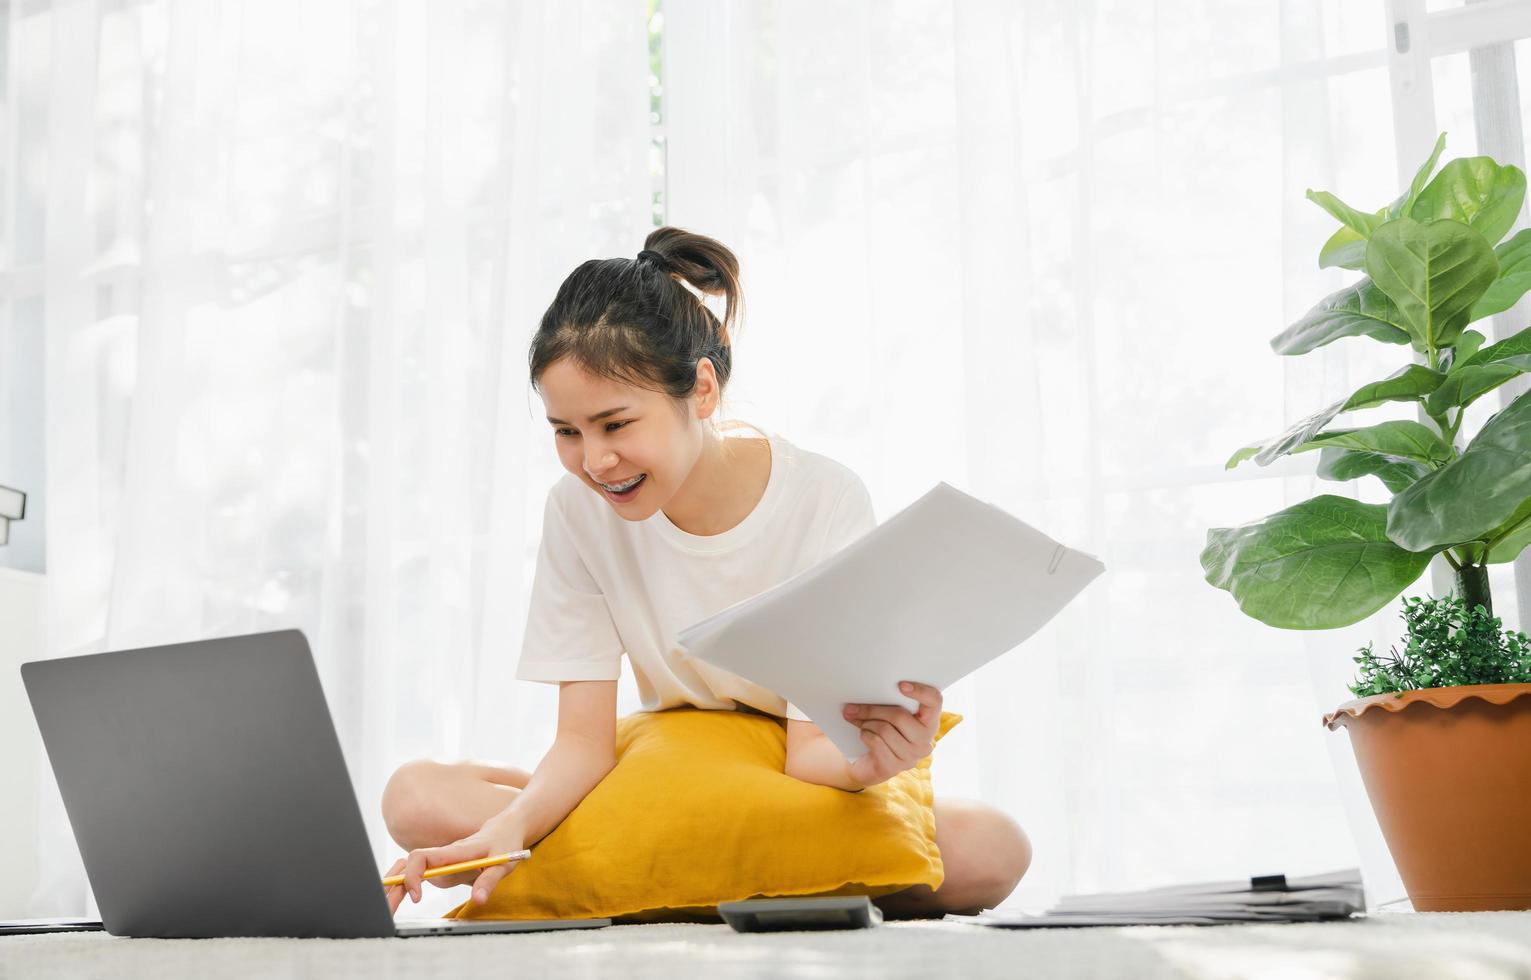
(635, 335)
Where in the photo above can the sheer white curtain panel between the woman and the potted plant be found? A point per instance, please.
(1037, 250)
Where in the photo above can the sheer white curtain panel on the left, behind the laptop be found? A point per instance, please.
(293, 258)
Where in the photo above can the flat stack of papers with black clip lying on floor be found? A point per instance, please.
(1275, 898)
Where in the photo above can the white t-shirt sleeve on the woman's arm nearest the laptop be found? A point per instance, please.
(570, 635)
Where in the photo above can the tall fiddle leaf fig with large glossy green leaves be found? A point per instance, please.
(1434, 266)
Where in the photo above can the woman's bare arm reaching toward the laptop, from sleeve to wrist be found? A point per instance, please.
(583, 754)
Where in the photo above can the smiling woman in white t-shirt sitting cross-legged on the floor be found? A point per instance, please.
(664, 520)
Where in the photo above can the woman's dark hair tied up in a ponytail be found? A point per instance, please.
(630, 321)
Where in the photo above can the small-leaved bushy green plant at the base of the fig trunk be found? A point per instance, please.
(1446, 645)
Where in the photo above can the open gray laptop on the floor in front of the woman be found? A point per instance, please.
(209, 794)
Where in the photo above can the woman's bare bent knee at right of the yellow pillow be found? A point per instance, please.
(984, 852)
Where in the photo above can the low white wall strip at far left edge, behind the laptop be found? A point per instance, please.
(21, 746)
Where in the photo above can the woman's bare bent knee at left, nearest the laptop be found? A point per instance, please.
(429, 805)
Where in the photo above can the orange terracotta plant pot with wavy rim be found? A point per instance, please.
(1449, 773)
